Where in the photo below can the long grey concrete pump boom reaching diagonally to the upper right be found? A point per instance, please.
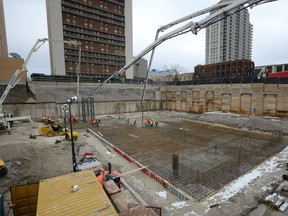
(233, 7)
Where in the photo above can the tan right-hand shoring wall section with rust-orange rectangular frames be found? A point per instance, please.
(248, 99)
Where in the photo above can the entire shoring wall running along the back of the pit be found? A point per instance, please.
(248, 99)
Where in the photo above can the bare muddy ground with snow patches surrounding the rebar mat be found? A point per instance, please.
(30, 160)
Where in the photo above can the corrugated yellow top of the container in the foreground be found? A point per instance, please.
(77, 193)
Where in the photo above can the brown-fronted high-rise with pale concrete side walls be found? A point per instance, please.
(104, 29)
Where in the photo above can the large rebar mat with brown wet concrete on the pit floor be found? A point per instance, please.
(198, 158)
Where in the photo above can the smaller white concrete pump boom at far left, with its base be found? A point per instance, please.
(6, 119)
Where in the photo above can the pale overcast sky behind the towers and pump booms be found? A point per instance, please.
(26, 22)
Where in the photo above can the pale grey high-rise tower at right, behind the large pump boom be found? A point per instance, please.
(229, 39)
